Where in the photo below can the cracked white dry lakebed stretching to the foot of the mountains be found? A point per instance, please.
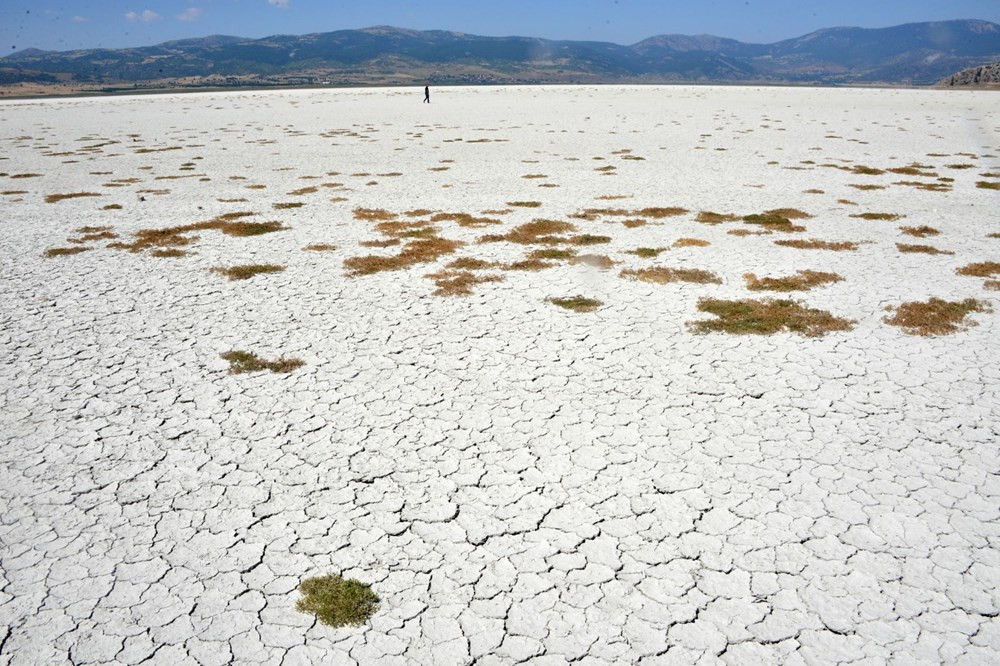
(518, 482)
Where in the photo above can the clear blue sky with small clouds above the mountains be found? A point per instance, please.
(76, 24)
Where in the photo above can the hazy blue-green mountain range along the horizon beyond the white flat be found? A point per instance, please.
(911, 54)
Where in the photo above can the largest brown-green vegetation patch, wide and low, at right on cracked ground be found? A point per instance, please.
(766, 317)
